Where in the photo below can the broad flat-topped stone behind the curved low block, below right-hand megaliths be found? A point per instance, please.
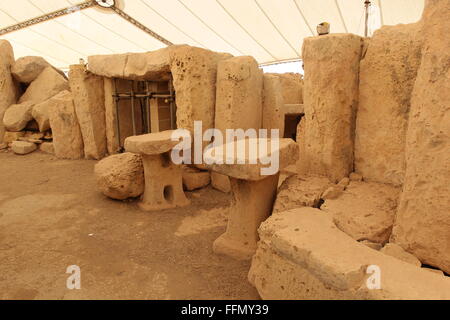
(365, 211)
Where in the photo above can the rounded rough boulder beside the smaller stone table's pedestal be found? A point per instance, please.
(120, 176)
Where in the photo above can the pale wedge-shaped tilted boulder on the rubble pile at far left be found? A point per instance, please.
(47, 84)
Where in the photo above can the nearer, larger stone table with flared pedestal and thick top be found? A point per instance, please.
(253, 194)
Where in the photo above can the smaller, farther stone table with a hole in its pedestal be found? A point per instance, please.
(163, 178)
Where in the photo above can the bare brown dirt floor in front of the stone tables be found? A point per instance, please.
(52, 216)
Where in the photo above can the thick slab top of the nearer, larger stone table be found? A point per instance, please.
(251, 169)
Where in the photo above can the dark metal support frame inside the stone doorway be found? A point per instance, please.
(140, 91)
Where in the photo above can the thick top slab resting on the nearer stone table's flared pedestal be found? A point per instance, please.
(249, 165)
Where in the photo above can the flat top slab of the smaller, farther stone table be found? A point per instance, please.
(151, 143)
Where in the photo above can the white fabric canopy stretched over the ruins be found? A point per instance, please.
(269, 30)
